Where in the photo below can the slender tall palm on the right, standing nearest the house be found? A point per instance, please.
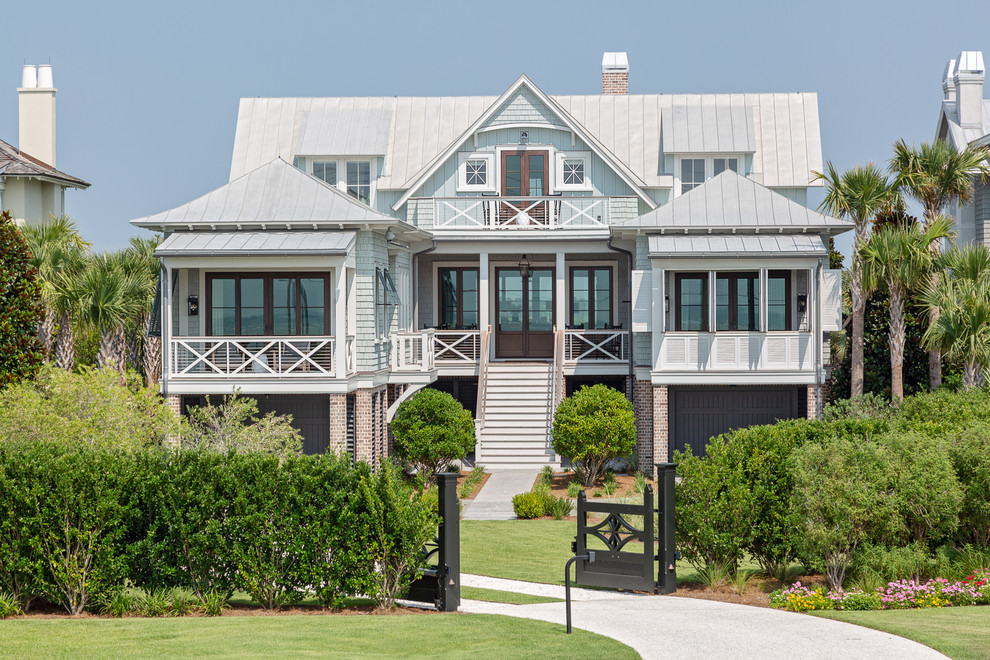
(858, 194)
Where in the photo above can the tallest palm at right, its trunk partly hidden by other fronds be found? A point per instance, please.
(937, 174)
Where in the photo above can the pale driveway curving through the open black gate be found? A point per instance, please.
(674, 627)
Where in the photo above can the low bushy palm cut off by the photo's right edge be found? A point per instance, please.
(961, 290)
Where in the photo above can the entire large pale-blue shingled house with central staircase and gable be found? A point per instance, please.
(508, 249)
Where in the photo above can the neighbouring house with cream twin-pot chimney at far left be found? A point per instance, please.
(30, 186)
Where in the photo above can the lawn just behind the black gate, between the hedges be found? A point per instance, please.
(531, 550)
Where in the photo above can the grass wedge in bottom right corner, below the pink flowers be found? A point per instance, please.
(962, 633)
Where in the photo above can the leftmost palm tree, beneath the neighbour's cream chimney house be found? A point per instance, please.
(56, 246)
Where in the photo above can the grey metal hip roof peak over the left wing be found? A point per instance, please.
(275, 193)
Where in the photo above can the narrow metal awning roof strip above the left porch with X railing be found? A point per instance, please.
(264, 243)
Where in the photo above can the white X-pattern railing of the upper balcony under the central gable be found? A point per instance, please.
(520, 212)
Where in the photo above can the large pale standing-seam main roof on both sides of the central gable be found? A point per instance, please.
(780, 130)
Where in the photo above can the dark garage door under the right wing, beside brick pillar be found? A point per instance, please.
(697, 414)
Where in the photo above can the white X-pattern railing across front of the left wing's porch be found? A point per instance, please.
(251, 357)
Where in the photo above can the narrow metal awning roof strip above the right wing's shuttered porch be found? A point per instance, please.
(793, 245)
